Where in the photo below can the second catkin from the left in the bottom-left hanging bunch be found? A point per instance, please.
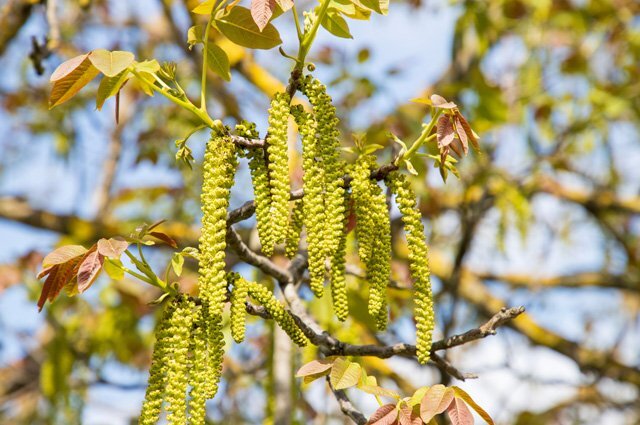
(177, 363)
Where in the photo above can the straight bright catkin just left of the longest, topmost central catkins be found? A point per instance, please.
(277, 148)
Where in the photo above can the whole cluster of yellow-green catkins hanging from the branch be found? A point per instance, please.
(187, 358)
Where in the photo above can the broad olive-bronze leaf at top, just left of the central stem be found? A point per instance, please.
(239, 27)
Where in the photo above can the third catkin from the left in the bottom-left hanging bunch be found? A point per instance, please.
(198, 369)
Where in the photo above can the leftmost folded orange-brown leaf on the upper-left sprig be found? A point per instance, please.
(70, 77)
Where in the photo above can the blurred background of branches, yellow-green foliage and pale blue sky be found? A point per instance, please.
(548, 216)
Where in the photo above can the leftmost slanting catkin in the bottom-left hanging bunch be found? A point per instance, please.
(154, 395)
